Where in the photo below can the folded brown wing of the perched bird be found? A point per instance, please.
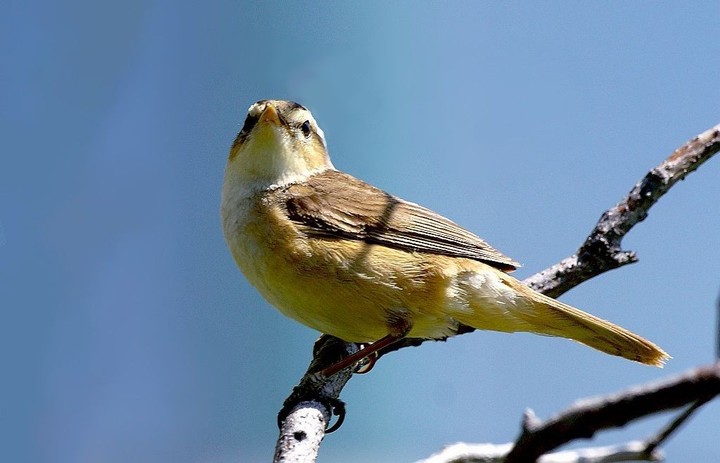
(333, 204)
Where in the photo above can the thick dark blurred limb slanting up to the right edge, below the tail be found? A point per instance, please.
(589, 416)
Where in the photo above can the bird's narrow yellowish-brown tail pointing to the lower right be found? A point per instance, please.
(537, 313)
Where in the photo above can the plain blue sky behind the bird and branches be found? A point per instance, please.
(128, 334)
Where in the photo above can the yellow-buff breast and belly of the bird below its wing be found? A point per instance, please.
(346, 288)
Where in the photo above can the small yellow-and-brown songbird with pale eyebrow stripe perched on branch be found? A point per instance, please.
(350, 260)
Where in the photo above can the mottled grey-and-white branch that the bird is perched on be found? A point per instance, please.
(601, 252)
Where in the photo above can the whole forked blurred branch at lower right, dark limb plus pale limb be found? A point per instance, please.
(586, 417)
